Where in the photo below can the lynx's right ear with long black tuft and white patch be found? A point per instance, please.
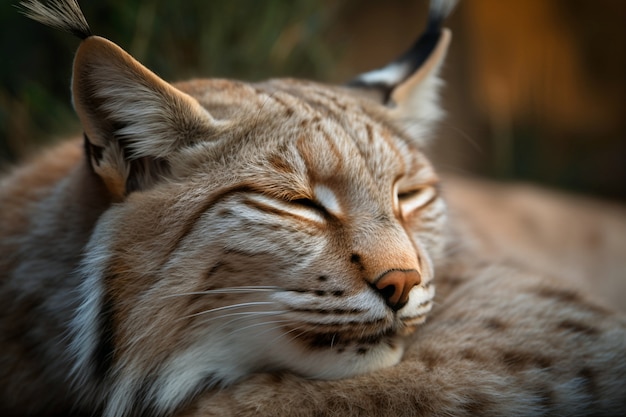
(409, 86)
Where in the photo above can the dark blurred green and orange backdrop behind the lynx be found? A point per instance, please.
(535, 88)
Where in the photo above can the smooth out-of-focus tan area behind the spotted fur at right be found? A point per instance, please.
(576, 238)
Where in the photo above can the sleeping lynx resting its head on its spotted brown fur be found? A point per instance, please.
(217, 247)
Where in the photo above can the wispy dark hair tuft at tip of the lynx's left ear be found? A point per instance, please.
(60, 14)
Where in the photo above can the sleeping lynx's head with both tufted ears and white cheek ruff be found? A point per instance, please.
(283, 225)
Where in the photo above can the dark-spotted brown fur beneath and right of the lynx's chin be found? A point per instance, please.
(538, 356)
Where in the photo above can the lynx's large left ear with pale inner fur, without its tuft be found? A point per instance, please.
(132, 119)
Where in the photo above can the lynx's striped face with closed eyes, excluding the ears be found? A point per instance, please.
(302, 239)
